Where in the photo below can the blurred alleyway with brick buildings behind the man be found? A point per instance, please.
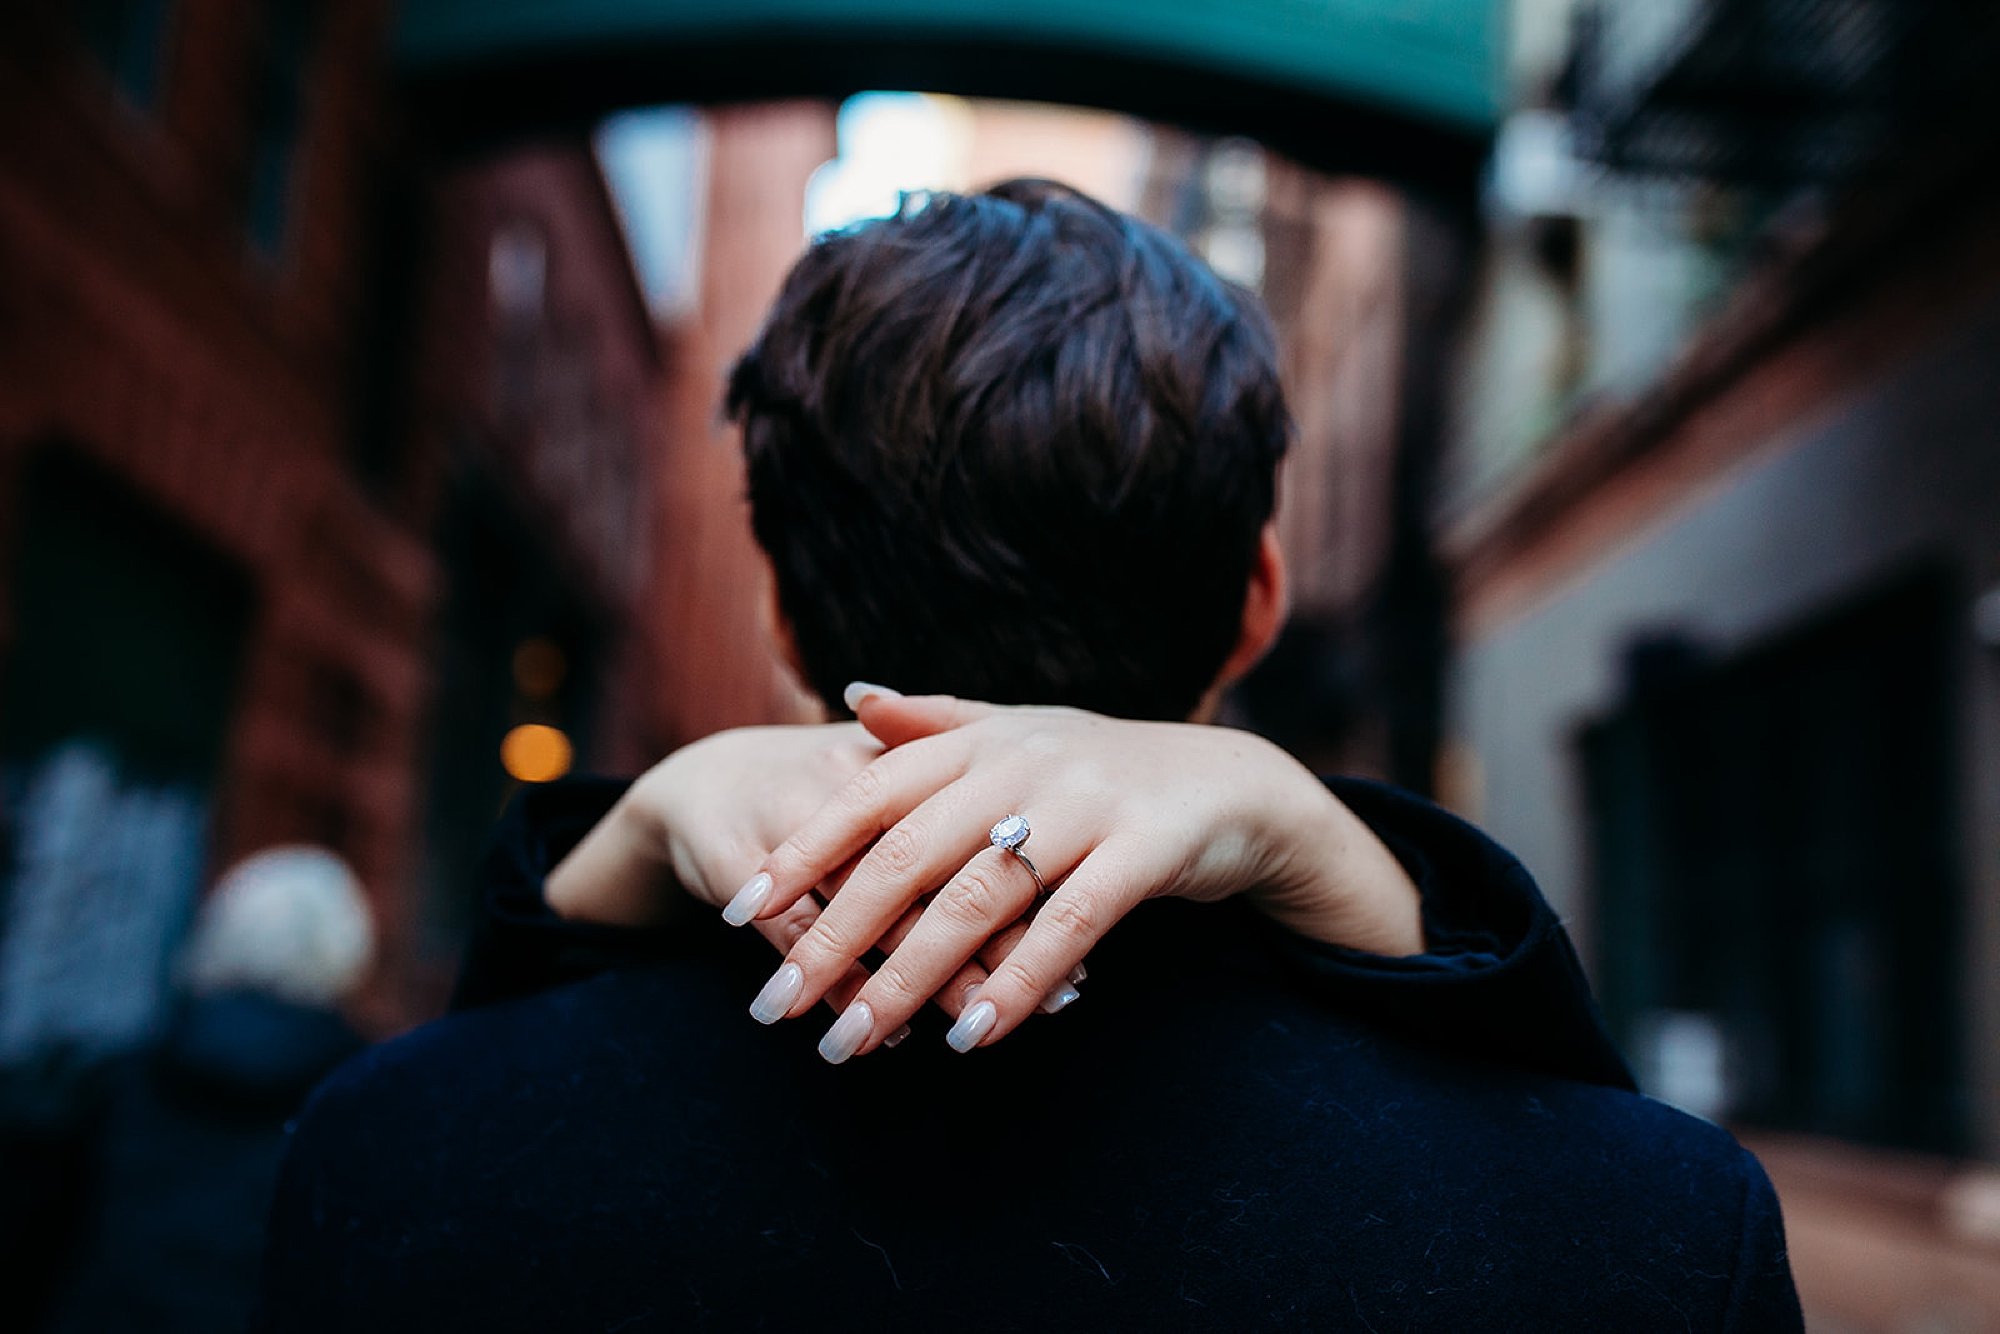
(361, 461)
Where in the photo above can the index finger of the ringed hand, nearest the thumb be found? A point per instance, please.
(861, 813)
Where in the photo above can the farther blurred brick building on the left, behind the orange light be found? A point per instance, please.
(529, 461)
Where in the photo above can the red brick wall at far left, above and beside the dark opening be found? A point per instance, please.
(141, 329)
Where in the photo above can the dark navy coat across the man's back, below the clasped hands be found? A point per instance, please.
(1227, 1133)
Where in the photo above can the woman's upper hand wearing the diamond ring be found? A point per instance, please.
(1119, 813)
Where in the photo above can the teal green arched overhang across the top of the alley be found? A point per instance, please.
(1431, 61)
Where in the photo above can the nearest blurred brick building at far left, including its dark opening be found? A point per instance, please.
(209, 621)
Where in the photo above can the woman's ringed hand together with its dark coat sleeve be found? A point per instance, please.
(1131, 811)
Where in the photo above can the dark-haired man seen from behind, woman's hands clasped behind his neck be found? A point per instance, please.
(1019, 449)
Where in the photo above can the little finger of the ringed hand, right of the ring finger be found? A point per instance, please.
(1097, 895)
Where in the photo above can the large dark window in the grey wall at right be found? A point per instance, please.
(1777, 877)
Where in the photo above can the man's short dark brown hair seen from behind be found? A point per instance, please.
(1013, 447)
